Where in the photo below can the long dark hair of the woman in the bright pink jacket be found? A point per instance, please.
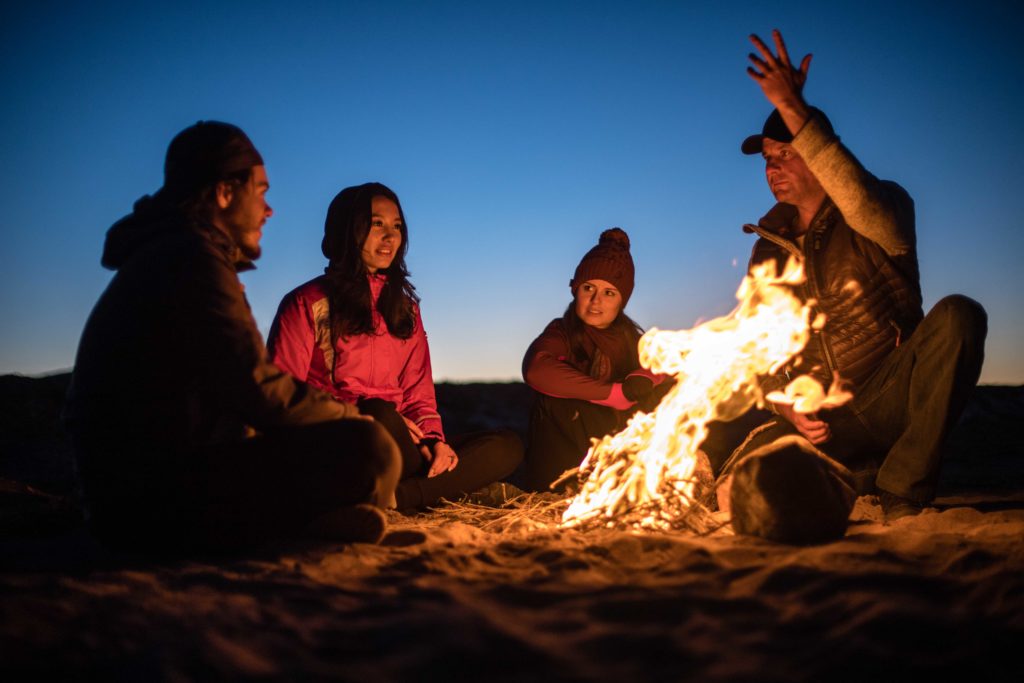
(346, 232)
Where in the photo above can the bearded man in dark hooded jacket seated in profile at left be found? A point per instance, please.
(186, 436)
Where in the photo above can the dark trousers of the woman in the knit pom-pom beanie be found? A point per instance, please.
(561, 434)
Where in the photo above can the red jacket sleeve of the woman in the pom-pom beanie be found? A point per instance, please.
(546, 369)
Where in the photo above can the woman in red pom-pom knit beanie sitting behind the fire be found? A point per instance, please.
(585, 366)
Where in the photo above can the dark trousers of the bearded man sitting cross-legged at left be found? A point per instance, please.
(235, 495)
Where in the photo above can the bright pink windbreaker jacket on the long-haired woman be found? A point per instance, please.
(377, 366)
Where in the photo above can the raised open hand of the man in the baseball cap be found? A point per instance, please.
(781, 81)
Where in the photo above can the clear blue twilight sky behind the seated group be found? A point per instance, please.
(514, 135)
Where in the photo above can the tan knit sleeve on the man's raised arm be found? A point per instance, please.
(880, 210)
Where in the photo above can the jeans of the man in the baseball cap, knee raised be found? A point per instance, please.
(891, 435)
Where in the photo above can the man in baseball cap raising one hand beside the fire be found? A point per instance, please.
(911, 375)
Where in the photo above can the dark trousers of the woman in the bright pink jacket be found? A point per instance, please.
(484, 458)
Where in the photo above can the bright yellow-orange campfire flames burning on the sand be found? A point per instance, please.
(645, 477)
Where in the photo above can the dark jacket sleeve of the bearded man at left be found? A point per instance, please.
(235, 360)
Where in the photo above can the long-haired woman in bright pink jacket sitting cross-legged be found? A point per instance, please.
(356, 332)
